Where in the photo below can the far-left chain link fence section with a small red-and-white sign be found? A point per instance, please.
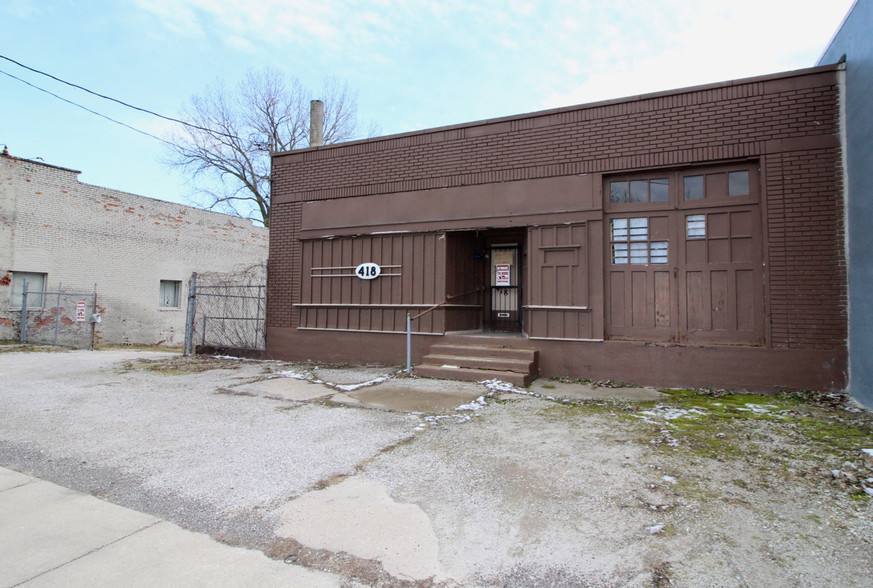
(61, 317)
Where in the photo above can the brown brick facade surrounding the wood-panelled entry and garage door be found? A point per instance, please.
(787, 123)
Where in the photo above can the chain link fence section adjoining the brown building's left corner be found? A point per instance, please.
(227, 313)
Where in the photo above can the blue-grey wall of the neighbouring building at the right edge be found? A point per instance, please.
(855, 40)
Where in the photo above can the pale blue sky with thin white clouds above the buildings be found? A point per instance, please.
(415, 64)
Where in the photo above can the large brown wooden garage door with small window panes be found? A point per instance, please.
(684, 256)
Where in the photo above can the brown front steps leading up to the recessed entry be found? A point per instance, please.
(477, 362)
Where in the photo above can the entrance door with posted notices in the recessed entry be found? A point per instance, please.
(505, 300)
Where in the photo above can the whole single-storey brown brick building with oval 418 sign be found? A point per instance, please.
(685, 238)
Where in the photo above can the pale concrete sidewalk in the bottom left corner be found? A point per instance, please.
(52, 536)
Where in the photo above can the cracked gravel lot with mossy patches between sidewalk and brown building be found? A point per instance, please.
(397, 481)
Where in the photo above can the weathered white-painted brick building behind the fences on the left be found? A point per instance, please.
(140, 252)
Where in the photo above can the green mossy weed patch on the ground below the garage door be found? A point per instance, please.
(818, 436)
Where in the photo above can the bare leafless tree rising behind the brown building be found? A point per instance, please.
(227, 150)
